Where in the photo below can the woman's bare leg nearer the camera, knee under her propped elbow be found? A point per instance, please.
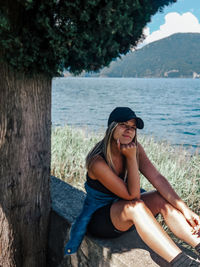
(126, 213)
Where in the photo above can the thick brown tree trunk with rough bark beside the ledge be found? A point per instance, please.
(25, 128)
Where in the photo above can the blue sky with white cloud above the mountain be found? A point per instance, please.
(182, 16)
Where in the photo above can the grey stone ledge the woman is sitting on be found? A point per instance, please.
(127, 250)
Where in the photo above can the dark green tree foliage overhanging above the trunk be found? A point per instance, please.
(46, 36)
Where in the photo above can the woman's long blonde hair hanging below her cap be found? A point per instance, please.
(103, 148)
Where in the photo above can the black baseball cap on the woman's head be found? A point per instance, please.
(122, 114)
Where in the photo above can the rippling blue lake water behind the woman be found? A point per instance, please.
(170, 108)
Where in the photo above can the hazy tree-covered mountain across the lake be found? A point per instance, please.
(174, 56)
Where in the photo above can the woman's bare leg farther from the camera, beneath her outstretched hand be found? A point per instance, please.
(173, 217)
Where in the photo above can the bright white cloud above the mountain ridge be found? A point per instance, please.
(174, 23)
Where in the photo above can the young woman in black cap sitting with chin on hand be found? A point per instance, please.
(115, 202)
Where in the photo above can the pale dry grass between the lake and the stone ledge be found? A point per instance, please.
(71, 145)
